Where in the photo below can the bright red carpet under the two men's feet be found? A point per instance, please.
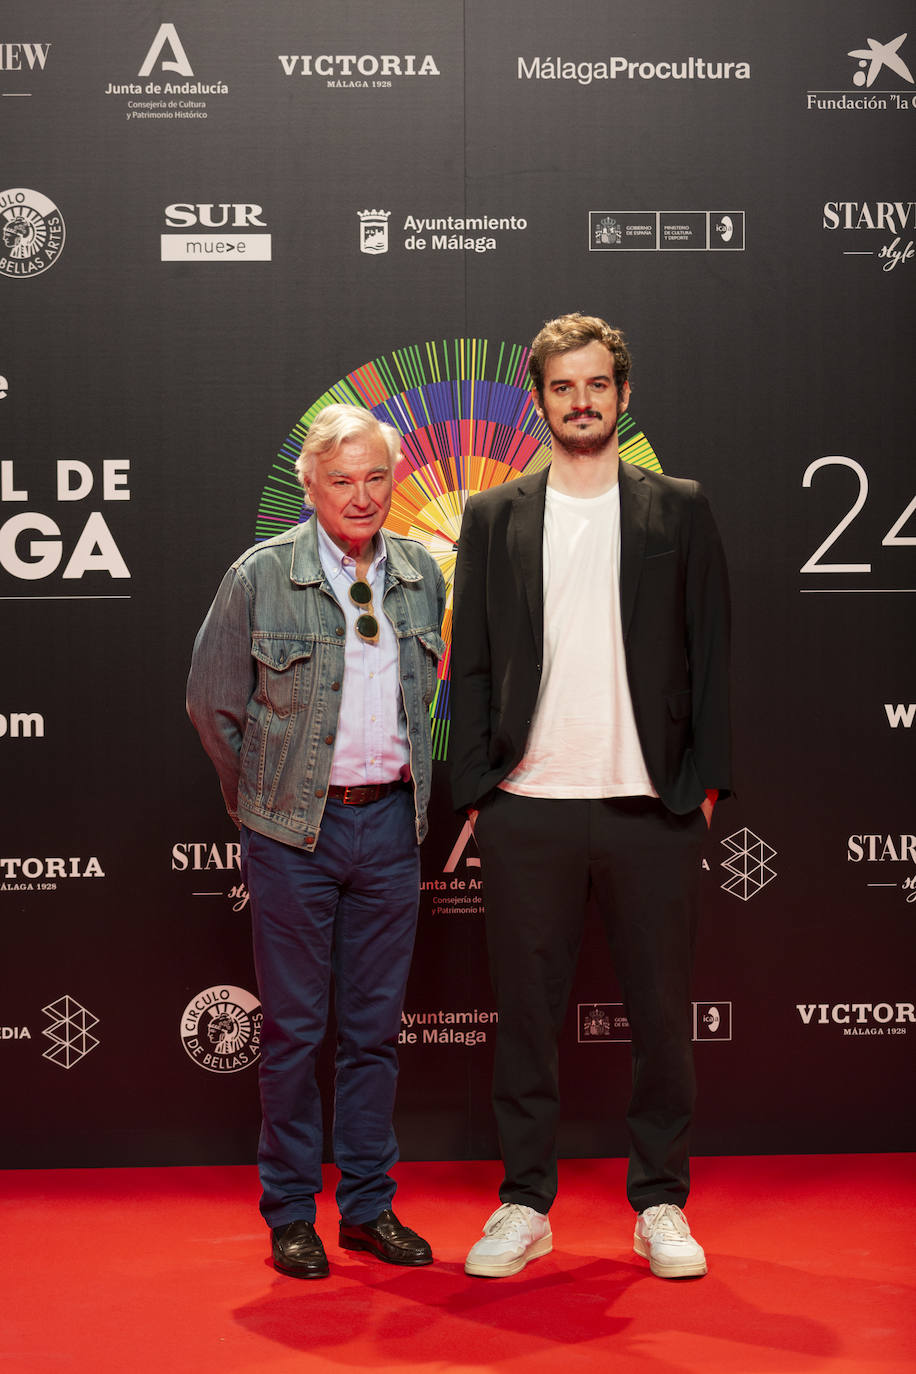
(138, 1270)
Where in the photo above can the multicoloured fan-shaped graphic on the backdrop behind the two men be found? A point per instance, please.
(465, 412)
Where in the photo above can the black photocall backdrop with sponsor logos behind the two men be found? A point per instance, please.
(218, 219)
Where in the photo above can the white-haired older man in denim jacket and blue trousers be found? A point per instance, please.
(311, 685)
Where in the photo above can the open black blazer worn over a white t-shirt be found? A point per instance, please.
(675, 612)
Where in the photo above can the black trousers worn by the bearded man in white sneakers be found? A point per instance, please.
(542, 858)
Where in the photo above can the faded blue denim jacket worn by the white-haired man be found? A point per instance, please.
(267, 670)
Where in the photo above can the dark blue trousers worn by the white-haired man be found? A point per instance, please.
(347, 910)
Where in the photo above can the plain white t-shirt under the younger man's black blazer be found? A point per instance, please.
(583, 741)
